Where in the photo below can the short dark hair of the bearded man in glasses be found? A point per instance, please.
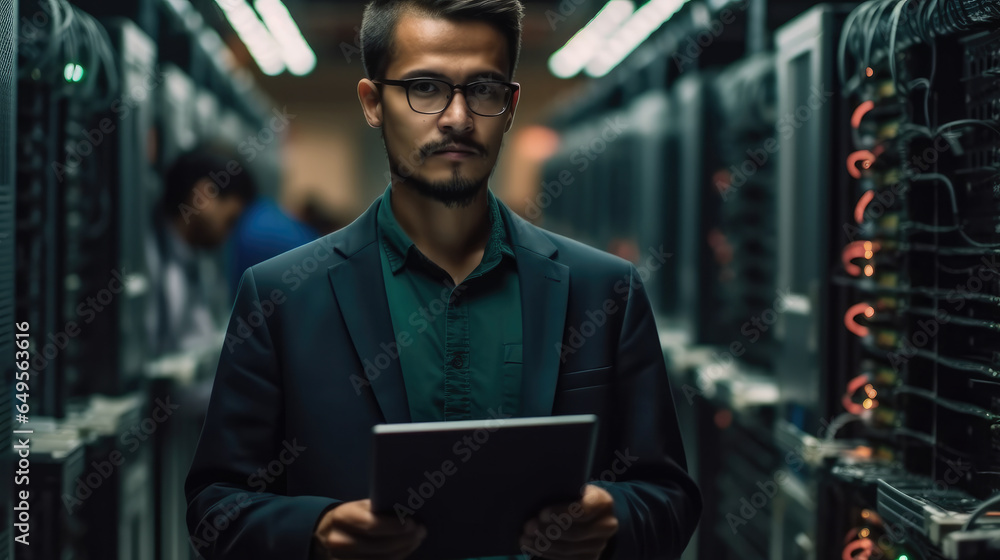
(378, 25)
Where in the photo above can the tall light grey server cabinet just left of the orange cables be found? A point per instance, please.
(810, 180)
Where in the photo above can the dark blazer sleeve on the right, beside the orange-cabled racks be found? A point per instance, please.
(655, 500)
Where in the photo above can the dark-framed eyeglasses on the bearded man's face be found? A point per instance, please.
(429, 96)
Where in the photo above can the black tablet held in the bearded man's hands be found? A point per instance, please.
(474, 483)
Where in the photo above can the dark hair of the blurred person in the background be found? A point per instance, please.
(210, 161)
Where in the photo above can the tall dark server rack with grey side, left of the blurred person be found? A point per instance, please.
(110, 354)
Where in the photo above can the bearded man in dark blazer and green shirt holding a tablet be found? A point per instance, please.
(438, 303)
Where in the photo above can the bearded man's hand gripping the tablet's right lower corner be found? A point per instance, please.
(578, 531)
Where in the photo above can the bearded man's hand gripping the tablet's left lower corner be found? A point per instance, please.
(351, 530)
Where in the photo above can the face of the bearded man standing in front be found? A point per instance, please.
(459, 53)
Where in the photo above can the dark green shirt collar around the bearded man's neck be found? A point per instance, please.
(398, 245)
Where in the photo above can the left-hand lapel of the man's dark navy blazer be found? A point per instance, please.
(360, 291)
